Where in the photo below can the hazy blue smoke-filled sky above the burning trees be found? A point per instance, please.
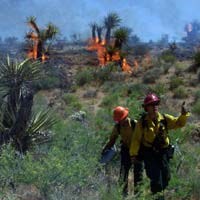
(149, 19)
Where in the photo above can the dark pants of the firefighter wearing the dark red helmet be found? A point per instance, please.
(157, 169)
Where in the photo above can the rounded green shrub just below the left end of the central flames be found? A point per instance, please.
(84, 76)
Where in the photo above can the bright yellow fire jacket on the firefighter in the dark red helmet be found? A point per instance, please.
(146, 135)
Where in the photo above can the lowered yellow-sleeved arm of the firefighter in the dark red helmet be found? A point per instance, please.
(136, 140)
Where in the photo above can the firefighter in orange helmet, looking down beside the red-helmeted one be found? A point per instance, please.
(125, 128)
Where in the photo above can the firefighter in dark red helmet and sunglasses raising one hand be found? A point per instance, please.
(151, 138)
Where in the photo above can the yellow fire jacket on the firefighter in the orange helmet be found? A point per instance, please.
(126, 133)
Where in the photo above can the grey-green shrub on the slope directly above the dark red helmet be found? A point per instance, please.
(152, 75)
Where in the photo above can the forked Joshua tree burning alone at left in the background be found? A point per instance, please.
(40, 37)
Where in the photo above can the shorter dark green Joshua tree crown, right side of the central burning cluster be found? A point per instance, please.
(121, 36)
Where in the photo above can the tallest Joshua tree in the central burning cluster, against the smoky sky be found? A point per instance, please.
(110, 22)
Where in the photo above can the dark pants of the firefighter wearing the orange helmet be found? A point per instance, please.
(125, 168)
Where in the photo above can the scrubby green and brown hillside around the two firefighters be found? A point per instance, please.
(67, 167)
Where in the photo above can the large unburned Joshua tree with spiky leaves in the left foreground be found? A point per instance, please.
(16, 92)
